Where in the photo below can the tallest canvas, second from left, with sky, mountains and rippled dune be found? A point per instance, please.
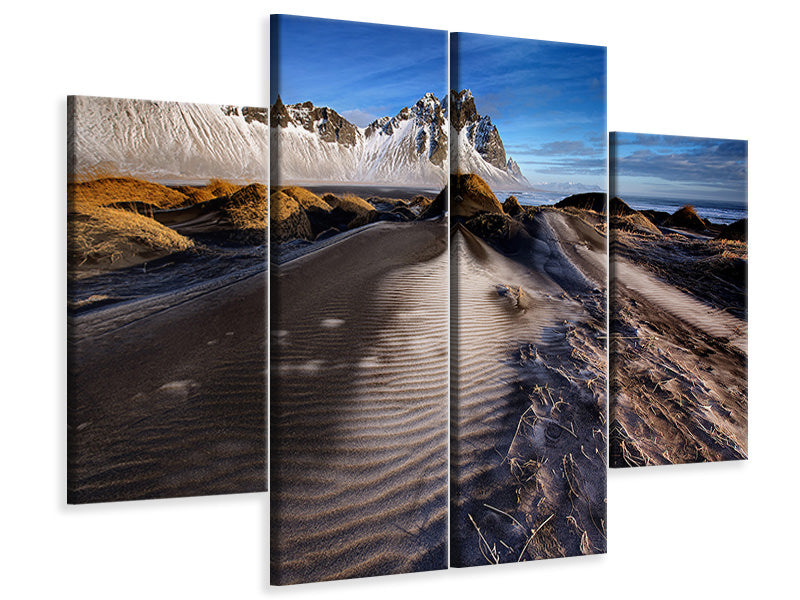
(359, 314)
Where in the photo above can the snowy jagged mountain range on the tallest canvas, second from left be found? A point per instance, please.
(316, 144)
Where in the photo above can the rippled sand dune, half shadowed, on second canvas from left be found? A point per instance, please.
(359, 406)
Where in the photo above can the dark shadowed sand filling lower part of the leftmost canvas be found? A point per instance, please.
(167, 395)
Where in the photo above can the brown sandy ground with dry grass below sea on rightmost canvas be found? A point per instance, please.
(679, 349)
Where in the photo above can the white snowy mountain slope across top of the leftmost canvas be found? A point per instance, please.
(168, 140)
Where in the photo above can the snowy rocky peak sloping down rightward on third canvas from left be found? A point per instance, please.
(476, 147)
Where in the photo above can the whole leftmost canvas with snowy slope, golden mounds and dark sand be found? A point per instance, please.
(166, 299)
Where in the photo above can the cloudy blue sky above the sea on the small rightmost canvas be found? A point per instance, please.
(679, 167)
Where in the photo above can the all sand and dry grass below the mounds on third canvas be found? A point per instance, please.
(528, 394)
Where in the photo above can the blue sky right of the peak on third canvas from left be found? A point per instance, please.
(547, 99)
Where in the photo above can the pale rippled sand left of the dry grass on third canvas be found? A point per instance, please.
(487, 402)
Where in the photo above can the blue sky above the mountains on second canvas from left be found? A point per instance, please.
(361, 70)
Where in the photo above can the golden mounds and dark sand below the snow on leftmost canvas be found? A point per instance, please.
(166, 312)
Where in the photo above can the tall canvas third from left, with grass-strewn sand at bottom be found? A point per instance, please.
(528, 255)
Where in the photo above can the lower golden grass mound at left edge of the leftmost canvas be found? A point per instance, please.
(104, 235)
